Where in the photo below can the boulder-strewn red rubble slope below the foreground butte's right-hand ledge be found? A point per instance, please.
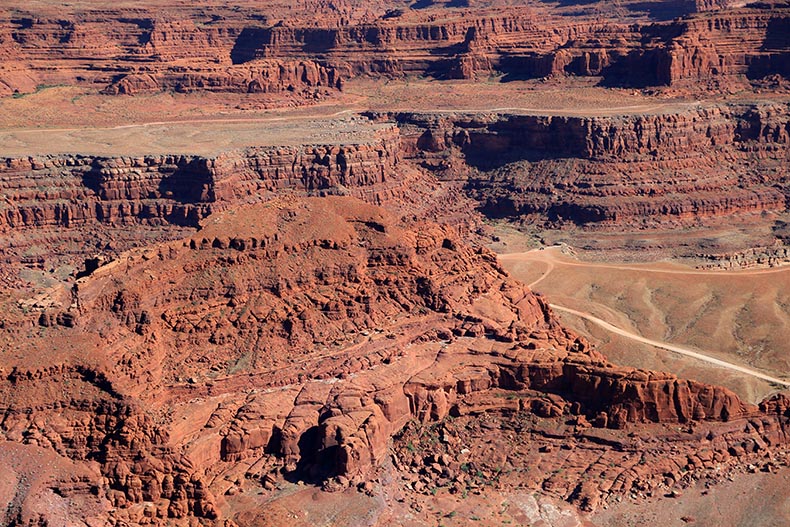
(516, 449)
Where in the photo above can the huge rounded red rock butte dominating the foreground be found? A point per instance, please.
(296, 338)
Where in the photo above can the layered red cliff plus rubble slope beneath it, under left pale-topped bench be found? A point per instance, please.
(51, 201)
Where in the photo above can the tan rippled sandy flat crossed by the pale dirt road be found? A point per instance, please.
(739, 317)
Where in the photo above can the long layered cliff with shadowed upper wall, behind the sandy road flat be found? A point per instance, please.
(695, 164)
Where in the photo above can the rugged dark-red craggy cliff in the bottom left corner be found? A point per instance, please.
(73, 411)
